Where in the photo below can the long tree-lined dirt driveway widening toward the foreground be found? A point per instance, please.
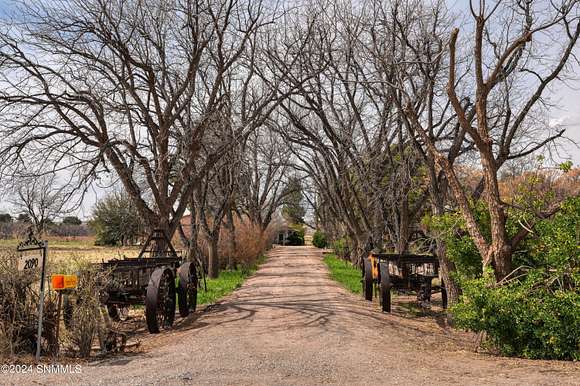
(291, 324)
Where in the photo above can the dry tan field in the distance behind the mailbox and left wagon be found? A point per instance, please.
(64, 248)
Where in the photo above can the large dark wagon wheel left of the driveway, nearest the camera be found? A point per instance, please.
(160, 300)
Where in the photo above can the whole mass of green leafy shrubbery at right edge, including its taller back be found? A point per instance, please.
(536, 313)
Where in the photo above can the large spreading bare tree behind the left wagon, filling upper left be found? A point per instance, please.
(134, 88)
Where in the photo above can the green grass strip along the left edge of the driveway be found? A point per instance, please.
(226, 283)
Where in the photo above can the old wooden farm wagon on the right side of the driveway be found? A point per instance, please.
(404, 272)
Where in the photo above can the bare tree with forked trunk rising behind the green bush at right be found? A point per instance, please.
(512, 50)
